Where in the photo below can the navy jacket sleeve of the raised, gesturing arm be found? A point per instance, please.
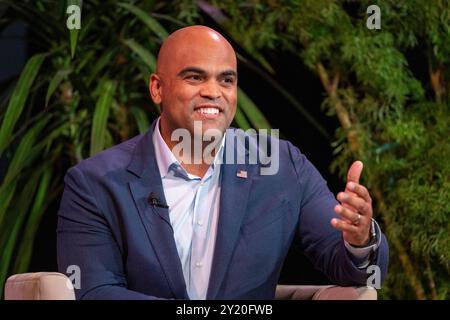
(321, 242)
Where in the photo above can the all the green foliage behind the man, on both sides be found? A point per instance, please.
(394, 113)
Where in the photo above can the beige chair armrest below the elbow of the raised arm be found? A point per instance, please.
(300, 292)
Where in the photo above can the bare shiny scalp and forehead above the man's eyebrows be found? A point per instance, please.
(189, 40)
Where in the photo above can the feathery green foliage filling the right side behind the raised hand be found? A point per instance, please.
(394, 114)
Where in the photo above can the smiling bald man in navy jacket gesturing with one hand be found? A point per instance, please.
(114, 223)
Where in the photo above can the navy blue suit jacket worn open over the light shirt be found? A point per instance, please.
(125, 247)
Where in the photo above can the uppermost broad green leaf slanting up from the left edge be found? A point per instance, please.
(18, 99)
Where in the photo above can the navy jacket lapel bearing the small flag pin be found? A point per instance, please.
(233, 202)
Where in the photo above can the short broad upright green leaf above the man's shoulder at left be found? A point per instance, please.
(98, 132)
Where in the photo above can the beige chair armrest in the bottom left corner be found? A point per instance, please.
(39, 286)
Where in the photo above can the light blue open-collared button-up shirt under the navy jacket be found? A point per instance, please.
(193, 211)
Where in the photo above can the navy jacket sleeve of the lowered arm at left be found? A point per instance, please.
(84, 239)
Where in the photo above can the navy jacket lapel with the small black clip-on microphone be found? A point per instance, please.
(156, 220)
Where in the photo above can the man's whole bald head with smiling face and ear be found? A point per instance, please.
(195, 81)
